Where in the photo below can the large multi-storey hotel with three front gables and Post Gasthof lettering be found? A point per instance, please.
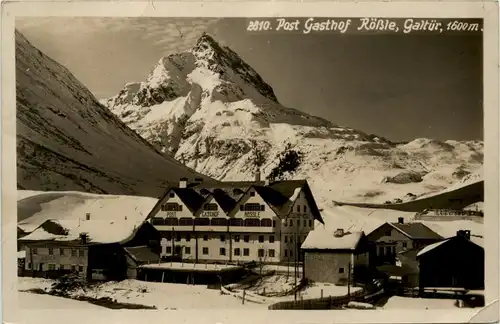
(235, 221)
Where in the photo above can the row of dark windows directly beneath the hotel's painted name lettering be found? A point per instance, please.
(186, 221)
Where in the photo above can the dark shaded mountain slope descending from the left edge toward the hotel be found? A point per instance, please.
(67, 140)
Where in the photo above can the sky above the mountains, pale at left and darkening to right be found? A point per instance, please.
(397, 86)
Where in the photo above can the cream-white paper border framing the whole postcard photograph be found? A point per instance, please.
(476, 9)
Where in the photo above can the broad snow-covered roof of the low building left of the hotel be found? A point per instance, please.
(98, 231)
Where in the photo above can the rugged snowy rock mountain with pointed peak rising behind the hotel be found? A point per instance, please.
(211, 111)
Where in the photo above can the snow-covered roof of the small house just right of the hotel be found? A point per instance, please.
(322, 238)
